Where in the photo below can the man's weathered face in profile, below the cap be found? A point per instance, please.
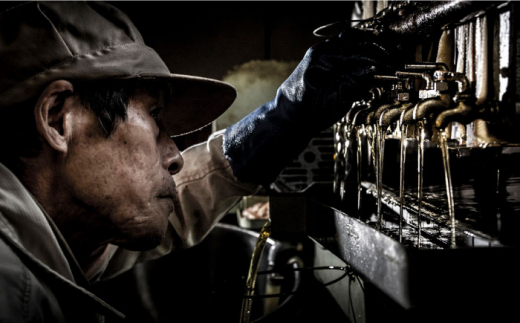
(124, 181)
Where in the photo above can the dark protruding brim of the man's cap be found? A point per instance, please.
(194, 102)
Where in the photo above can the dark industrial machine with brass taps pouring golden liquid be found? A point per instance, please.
(426, 195)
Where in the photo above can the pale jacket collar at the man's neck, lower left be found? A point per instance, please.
(26, 227)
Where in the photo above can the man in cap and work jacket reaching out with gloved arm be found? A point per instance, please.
(88, 168)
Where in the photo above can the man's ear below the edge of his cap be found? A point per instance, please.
(52, 113)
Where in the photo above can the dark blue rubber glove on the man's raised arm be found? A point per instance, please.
(332, 75)
